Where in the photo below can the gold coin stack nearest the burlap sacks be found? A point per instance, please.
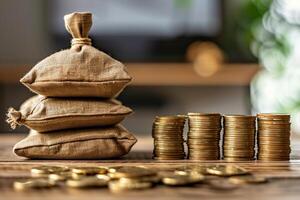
(168, 137)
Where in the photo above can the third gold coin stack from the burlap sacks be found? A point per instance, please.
(239, 137)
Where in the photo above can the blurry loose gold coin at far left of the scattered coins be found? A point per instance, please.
(33, 184)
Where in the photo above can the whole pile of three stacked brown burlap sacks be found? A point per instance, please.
(74, 115)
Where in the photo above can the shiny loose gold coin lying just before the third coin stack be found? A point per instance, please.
(226, 170)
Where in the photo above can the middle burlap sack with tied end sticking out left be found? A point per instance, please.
(48, 114)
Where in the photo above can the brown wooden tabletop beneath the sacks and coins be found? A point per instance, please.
(284, 177)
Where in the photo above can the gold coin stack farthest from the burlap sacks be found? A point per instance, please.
(273, 136)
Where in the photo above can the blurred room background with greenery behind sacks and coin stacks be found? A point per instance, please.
(227, 56)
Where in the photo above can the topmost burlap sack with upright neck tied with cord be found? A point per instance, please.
(80, 71)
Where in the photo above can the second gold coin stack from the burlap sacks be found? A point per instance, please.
(204, 136)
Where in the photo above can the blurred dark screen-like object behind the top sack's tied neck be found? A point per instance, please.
(144, 31)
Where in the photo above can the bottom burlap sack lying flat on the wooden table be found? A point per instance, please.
(93, 143)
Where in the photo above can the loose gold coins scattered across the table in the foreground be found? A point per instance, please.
(124, 178)
